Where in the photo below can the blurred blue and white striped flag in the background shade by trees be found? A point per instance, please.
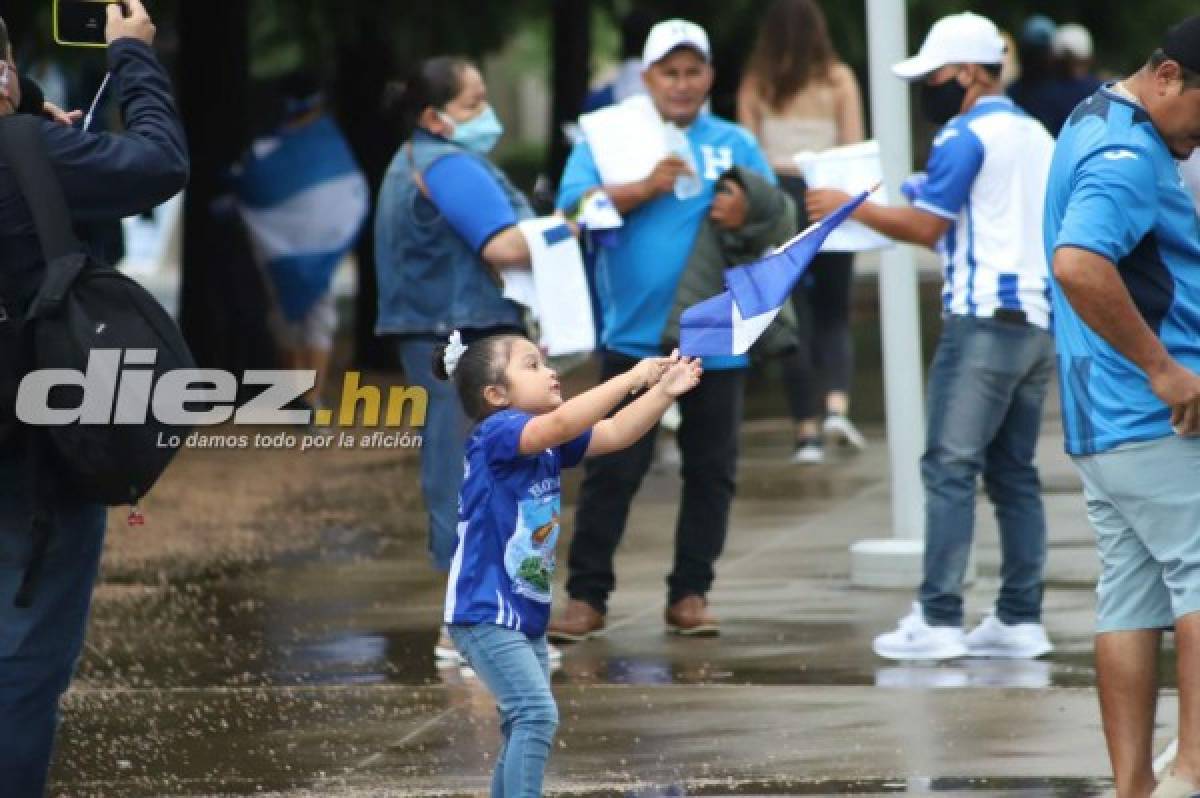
(304, 201)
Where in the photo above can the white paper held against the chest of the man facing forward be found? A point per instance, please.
(627, 140)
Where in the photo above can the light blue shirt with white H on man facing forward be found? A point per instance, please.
(638, 279)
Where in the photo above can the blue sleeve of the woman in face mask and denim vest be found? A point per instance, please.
(470, 199)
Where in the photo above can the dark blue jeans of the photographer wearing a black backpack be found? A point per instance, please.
(40, 645)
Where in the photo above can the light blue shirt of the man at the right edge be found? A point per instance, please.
(1115, 190)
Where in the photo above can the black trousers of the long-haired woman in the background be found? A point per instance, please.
(825, 361)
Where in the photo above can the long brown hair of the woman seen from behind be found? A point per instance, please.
(794, 50)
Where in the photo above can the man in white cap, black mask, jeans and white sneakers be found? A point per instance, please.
(981, 207)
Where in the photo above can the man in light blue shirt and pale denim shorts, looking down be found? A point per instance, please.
(1124, 238)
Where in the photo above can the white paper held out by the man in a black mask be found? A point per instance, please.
(854, 169)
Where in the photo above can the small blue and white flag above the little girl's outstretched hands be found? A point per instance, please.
(730, 323)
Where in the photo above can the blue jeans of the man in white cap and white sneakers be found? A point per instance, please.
(986, 394)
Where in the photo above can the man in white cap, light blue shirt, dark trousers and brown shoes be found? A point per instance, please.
(637, 281)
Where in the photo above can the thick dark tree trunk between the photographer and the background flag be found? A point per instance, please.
(224, 308)
